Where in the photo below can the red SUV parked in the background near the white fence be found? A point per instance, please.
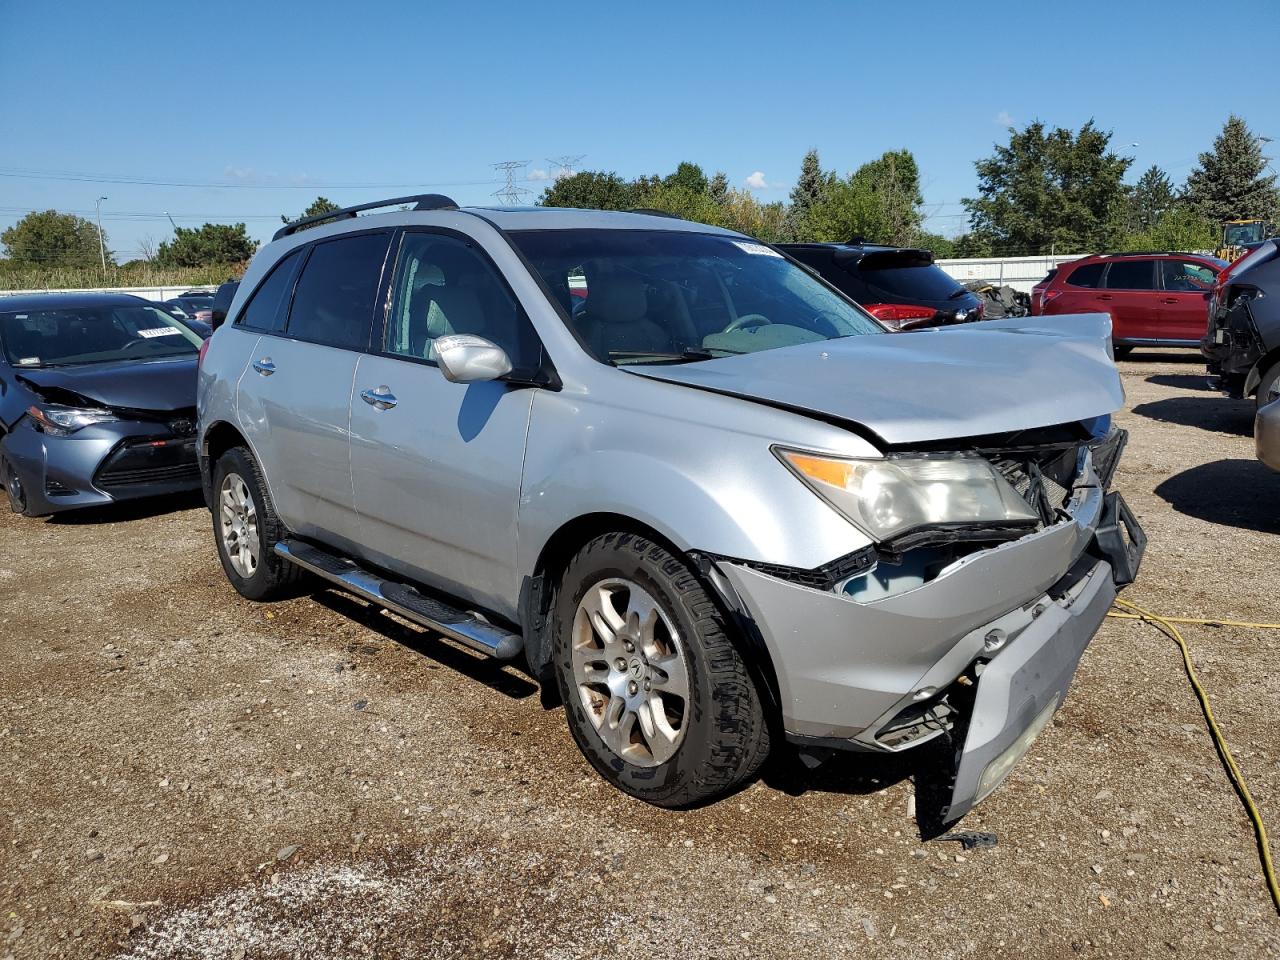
(1155, 300)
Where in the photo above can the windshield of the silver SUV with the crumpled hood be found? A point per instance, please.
(669, 296)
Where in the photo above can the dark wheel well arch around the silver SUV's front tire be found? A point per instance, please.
(560, 548)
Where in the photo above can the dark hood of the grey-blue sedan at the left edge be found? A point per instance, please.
(136, 385)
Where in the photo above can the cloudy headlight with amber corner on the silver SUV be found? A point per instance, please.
(889, 497)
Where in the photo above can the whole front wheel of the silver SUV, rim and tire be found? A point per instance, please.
(657, 697)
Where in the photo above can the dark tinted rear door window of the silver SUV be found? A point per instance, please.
(333, 303)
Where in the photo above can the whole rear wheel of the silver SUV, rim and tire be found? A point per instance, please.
(248, 529)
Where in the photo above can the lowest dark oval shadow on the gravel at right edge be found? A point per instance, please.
(1240, 493)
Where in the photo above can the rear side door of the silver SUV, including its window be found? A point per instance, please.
(296, 394)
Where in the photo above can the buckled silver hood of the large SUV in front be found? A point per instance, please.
(970, 381)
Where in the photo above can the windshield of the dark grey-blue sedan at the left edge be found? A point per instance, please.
(93, 335)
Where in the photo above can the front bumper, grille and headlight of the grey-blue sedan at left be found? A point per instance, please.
(67, 451)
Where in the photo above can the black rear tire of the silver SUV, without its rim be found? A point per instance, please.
(275, 578)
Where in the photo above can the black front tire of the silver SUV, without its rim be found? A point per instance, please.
(726, 734)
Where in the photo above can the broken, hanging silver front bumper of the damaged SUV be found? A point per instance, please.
(1016, 619)
